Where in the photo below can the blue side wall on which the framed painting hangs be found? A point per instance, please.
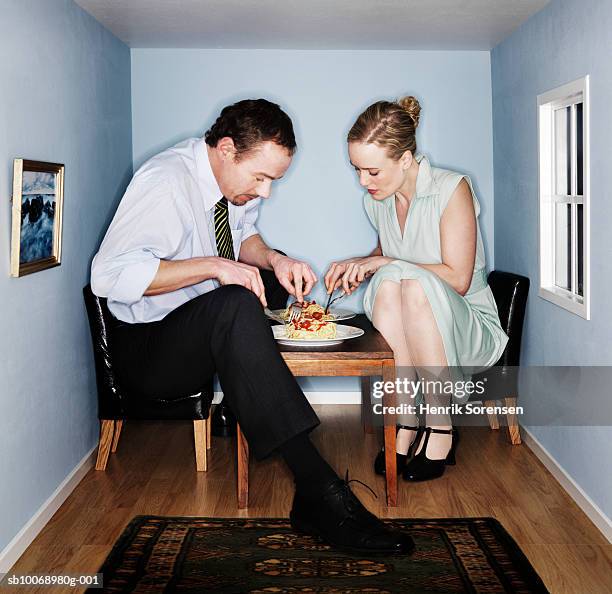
(65, 98)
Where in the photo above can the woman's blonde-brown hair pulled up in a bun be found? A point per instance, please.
(391, 125)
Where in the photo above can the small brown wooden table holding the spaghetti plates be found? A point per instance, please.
(365, 357)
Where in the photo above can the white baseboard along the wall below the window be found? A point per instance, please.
(582, 500)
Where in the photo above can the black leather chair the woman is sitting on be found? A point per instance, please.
(510, 292)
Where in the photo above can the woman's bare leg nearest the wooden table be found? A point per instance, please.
(387, 319)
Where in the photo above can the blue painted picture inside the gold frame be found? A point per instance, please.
(38, 200)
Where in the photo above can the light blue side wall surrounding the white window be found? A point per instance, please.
(563, 42)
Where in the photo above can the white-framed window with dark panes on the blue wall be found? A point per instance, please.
(563, 128)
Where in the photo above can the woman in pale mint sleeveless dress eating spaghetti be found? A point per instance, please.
(428, 295)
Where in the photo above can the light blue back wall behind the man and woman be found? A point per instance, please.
(178, 93)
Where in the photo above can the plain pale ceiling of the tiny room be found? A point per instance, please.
(314, 24)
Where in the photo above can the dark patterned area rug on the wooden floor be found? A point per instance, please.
(193, 555)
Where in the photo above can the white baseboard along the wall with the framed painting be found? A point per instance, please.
(23, 539)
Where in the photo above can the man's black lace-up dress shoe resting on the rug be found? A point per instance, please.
(340, 519)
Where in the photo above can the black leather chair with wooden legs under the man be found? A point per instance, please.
(116, 404)
